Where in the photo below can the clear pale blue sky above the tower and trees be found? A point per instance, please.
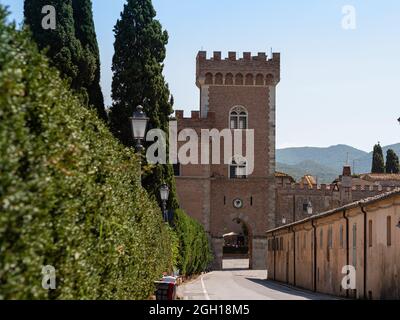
(337, 86)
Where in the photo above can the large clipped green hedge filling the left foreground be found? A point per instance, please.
(70, 195)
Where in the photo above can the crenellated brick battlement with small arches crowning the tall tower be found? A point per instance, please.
(259, 70)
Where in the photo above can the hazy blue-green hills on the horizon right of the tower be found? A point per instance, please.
(325, 163)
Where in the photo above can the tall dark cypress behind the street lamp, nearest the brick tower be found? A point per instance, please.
(137, 66)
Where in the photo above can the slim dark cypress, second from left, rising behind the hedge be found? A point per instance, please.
(86, 34)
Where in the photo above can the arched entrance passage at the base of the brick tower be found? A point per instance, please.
(237, 246)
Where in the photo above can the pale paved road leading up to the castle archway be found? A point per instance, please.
(236, 284)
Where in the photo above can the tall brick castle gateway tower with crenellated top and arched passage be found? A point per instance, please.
(235, 94)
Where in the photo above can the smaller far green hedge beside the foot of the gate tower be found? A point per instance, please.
(194, 247)
